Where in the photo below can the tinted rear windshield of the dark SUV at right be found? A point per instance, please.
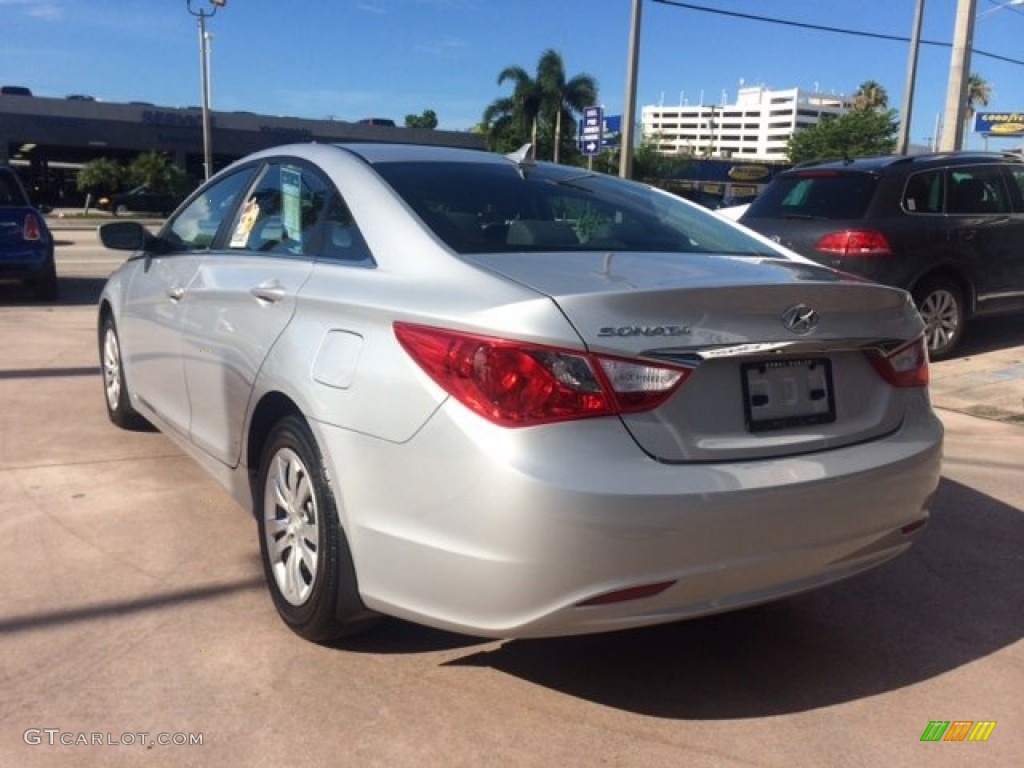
(816, 196)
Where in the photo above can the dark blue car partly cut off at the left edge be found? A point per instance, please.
(26, 243)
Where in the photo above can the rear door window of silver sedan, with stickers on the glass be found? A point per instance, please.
(282, 214)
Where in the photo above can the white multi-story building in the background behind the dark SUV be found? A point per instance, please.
(756, 129)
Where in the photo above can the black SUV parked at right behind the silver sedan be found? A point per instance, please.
(949, 228)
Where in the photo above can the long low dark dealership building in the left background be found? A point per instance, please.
(49, 140)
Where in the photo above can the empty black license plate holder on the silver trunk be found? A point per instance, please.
(788, 394)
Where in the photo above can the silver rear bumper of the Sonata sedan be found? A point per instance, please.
(505, 533)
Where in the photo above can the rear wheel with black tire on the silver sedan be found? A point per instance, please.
(306, 554)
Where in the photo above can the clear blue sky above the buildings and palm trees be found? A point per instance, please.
(357, 59)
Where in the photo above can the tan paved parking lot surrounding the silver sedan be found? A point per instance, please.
(135, 604)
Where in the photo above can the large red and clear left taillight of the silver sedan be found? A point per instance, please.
(518, 385)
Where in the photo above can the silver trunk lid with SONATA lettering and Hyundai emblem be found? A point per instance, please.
(780, 352)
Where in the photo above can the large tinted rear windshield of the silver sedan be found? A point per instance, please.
(495, 208)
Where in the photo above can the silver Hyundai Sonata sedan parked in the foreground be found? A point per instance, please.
(514, 399)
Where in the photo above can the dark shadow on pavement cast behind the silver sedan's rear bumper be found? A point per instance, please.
(953, 600)
